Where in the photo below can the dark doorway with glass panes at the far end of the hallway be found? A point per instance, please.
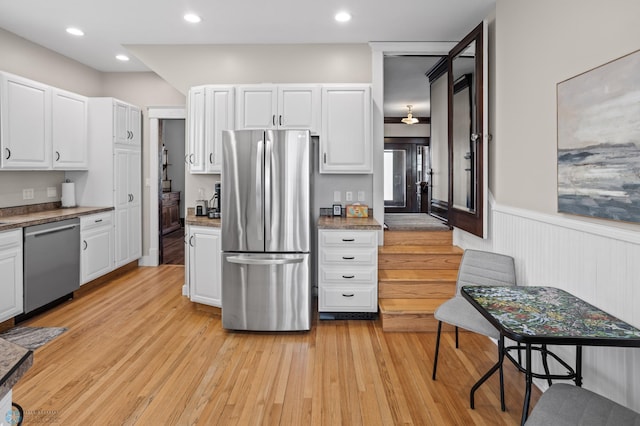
(406, 166)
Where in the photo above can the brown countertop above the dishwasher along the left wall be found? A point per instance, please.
(15, 217)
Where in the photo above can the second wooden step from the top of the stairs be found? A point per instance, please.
(419, 257)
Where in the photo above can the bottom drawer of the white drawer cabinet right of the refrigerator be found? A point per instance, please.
(346, 298)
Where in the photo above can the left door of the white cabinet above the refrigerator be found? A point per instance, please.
(257, 107)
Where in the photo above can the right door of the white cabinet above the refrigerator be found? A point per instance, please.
(299, 108)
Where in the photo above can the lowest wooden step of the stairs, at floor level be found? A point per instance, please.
(415, 315)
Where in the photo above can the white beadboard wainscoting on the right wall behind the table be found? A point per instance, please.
(600, 264)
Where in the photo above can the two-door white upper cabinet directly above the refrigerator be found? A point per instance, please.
(279, 107)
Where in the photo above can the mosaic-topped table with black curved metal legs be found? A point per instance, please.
(546, 315)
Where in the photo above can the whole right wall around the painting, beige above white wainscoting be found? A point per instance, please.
(537, 45)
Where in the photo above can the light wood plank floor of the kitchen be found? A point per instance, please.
(137, 352)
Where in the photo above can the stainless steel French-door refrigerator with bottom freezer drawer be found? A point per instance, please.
(266, 233)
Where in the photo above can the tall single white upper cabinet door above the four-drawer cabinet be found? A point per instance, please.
(346, 145)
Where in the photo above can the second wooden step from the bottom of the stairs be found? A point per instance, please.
(417, 283)
